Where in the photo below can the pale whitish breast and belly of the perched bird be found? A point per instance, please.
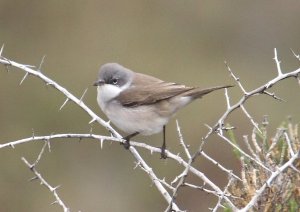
(142, 119)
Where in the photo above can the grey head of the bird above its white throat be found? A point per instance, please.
(114, 74)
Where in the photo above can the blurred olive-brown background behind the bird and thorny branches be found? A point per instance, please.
(180, 41)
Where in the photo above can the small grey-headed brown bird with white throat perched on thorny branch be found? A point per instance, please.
(141, 104)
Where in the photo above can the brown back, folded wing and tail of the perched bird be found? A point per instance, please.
(150, 90)
